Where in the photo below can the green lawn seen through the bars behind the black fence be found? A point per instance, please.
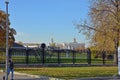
(32, 59)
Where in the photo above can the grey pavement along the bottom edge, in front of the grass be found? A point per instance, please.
(19, 76)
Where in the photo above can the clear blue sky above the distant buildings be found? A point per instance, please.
(38, 20)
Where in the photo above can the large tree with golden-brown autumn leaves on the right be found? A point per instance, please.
(104, 30)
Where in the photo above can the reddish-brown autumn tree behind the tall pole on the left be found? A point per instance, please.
(12, 31)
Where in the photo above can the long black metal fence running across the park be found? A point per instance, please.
(57, 56)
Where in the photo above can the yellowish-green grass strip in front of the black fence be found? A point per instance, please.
(70, 72)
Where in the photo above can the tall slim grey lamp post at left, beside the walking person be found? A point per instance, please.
(7, 34)
